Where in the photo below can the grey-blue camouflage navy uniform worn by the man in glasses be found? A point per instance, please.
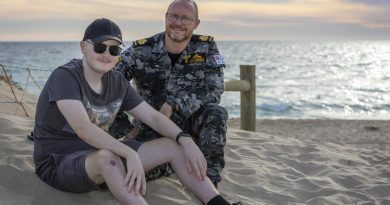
(193, 87)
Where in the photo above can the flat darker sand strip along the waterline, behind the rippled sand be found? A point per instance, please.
(369, 134)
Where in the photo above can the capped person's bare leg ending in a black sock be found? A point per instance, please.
(156, 152)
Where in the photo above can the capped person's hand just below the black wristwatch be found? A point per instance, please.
(194, 157)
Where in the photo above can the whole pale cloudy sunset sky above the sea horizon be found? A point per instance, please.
(232, 20)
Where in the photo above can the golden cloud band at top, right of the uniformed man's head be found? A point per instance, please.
(328, 11)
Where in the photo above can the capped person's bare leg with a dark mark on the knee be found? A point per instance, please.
(106, 166)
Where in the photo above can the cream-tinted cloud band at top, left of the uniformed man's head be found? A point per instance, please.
(75, 9)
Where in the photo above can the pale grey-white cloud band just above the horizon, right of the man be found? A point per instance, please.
(295, 32)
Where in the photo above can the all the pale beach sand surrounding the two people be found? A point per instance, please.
(284, 162)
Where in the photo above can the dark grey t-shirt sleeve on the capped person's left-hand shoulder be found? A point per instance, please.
(63, 85)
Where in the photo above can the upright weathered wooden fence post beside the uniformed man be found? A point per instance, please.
(248, 98)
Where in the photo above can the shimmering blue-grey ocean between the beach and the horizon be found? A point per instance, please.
(295, 80)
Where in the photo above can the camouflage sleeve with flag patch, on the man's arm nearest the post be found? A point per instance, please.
(209, 91)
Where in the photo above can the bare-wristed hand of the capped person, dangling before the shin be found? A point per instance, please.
(135, 178)
